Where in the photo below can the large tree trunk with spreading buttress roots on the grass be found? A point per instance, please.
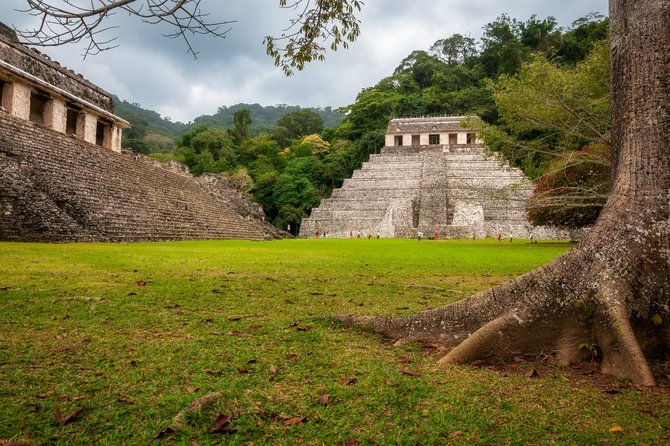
(613, 289)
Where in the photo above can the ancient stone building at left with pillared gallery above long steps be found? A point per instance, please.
(63, 176)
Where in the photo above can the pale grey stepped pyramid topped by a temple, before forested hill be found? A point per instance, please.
(432, 175)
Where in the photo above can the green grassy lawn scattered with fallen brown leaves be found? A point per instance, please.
(133, 333)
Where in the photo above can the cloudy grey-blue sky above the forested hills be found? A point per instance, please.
(158, 73)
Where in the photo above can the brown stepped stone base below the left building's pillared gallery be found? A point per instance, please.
(57, 188)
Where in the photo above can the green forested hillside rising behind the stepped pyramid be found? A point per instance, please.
(541, 92)
